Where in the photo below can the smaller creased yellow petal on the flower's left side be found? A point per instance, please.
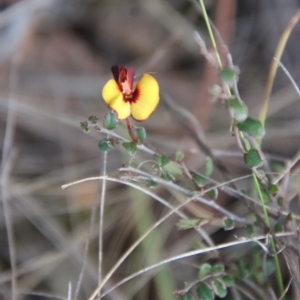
(114, 99)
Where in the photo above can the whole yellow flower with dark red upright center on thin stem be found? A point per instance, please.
(126, 98)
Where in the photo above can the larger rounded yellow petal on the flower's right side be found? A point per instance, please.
(147, 92)
